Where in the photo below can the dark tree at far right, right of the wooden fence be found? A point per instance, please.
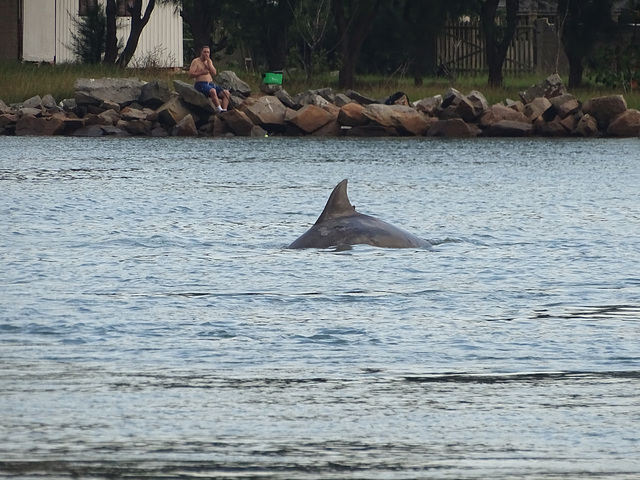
(584, 23)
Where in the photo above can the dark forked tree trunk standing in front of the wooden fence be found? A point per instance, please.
(497, 37)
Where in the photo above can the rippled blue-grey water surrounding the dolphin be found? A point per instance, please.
(153, 324)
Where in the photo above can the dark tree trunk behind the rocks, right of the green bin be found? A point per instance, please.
(353, 19)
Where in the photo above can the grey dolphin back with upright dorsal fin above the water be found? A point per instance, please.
(340, 225)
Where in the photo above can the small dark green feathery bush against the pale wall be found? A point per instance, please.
(89, 43)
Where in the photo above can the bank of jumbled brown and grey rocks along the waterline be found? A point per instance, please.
(130, 107)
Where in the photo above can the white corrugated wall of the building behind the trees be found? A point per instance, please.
(48, 25)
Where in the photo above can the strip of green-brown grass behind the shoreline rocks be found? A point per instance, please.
(19, 82)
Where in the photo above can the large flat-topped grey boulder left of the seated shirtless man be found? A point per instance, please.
(123, 91)
